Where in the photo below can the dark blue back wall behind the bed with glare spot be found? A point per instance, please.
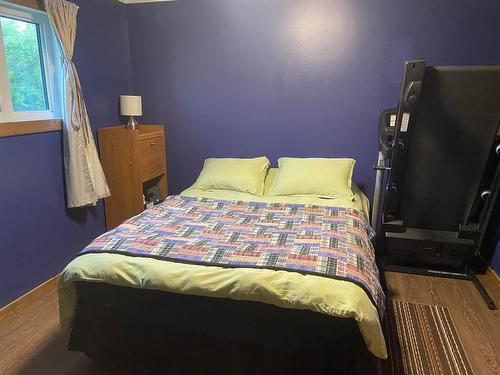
(291, 77)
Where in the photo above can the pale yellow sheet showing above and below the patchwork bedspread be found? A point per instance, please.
(280, 288)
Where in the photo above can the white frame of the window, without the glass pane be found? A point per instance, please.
(51, 65)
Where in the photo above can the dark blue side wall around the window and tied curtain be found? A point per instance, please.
(38, 235)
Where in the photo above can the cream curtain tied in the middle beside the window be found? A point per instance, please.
(85, 180)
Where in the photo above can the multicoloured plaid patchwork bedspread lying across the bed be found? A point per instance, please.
(327, 241)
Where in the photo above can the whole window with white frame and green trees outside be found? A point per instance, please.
(29, 65)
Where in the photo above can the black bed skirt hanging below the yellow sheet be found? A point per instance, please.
(149, 331)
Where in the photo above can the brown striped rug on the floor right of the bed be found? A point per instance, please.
(422, 340)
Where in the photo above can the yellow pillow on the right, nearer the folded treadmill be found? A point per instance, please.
(322, 177)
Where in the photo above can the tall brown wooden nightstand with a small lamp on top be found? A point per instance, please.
(133, 160)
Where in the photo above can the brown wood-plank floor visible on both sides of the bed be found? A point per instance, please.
(31, 342)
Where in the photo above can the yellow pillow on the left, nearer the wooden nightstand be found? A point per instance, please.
(245, 175)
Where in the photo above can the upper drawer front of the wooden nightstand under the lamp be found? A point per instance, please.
(152, 155)
